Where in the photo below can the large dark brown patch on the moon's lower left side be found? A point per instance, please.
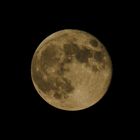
(61, 86)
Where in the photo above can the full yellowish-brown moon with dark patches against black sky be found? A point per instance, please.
(71, 70)
